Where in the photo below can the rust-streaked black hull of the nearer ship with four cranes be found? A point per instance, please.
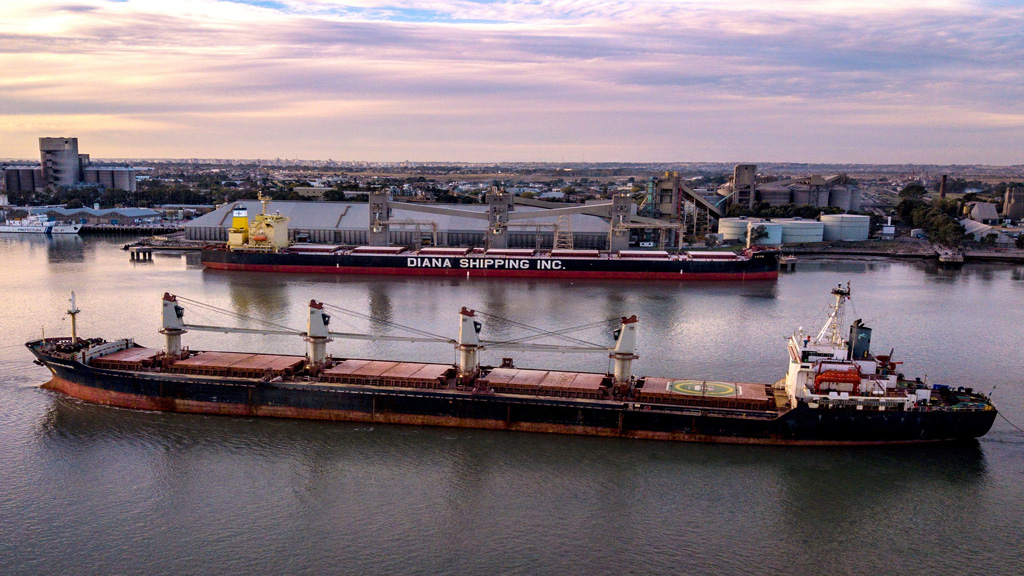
(243, 397)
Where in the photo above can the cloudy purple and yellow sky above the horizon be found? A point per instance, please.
(828, 81)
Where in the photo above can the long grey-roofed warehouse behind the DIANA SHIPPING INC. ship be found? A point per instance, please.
(349, 224)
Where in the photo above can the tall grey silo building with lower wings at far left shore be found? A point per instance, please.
(61, 164)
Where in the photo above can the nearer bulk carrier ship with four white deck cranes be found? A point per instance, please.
(835, 392)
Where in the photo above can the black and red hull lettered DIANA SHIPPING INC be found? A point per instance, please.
(759, 266)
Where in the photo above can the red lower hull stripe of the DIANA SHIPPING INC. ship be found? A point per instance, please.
(480, 273)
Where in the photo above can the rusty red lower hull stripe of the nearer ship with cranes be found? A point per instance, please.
(123, 400)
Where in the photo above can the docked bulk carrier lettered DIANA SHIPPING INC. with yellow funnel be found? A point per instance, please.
(264, 246)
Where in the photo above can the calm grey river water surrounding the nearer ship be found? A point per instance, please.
(92, 490)
